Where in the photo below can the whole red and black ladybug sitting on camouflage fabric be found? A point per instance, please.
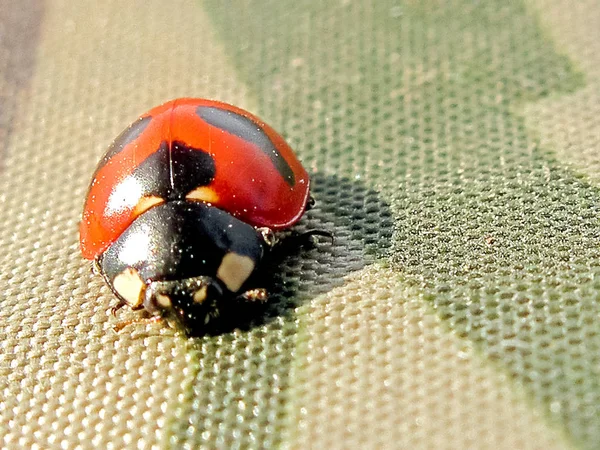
(184, 205)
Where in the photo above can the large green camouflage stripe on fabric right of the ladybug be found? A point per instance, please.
(422, 100)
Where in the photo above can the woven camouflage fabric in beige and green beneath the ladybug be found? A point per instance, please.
(454, 148)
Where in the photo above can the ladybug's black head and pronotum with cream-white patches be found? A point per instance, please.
(182, 260)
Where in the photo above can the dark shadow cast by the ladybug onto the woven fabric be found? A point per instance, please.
(300, 269)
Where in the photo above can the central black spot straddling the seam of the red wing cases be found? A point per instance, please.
(173, 174)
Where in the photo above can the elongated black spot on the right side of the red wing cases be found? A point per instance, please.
(246, 129)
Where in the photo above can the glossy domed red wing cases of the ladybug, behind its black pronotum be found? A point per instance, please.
(257, 178)
